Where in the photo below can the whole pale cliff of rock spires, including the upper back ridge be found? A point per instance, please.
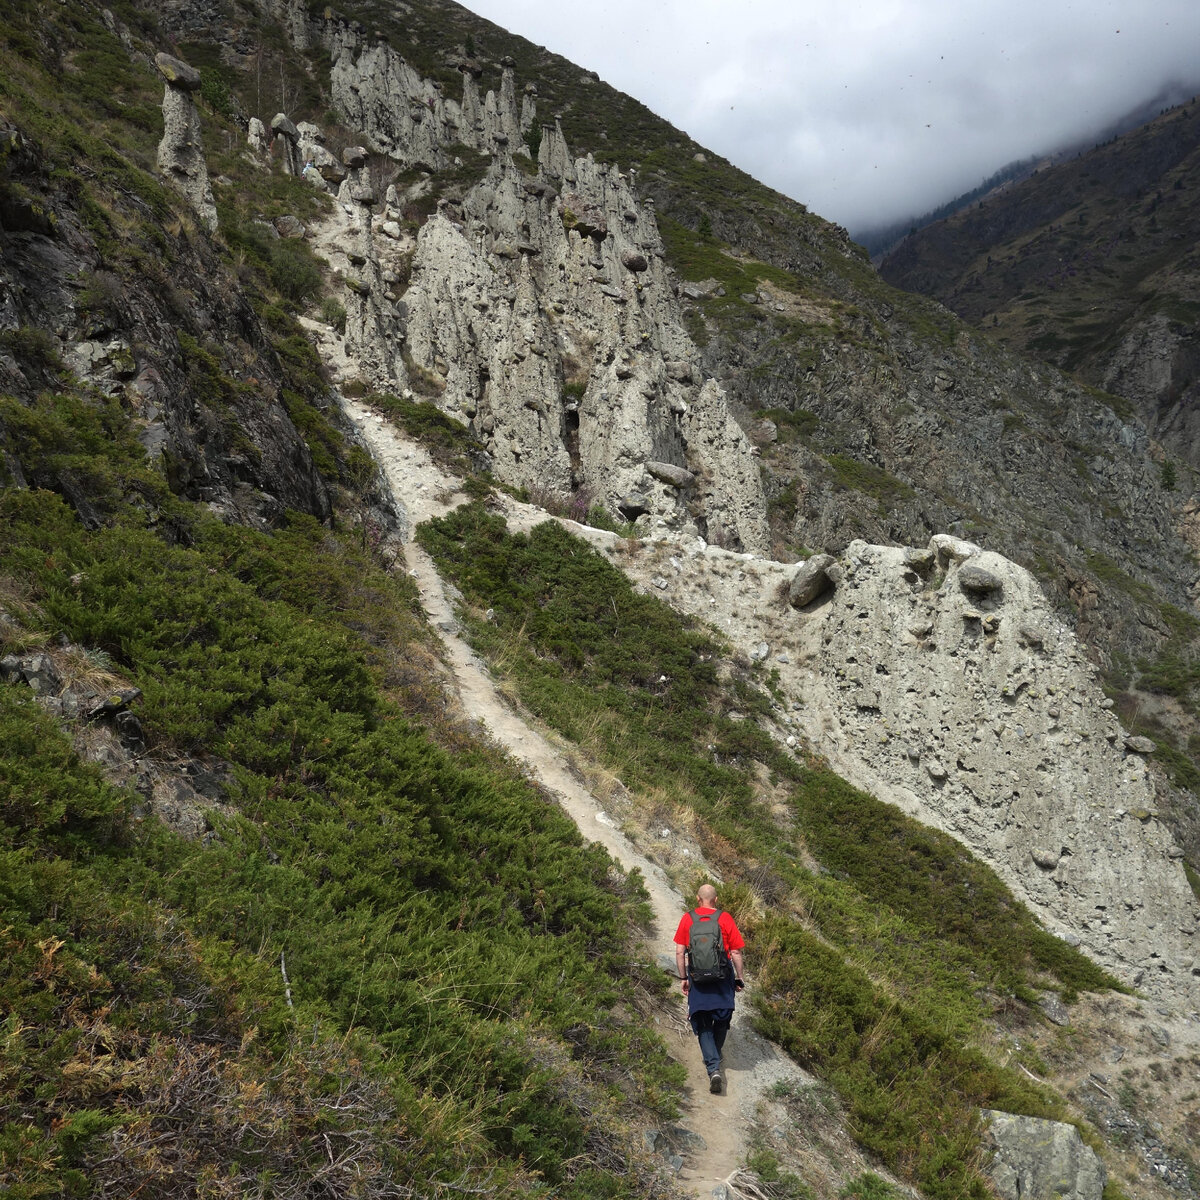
(539, 309)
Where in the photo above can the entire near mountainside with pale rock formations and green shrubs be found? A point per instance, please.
(277, 916)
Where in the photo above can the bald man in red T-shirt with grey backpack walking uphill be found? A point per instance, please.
(700, 953)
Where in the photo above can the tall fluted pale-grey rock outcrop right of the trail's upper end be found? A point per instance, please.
(574, 368)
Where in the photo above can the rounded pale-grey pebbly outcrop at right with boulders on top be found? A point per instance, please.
(944, 682)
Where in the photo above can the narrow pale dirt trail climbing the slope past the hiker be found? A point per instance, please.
(752, 1064)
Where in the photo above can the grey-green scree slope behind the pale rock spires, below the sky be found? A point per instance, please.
(887, 419)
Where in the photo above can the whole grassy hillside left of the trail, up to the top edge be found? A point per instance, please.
(391, 964)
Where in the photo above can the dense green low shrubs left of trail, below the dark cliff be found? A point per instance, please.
(429, 899)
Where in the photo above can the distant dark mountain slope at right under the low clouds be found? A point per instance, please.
(1090, 265)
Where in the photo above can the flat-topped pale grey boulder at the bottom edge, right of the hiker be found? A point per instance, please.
(1039, 1160)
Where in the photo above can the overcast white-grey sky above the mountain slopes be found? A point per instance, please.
(872, 111)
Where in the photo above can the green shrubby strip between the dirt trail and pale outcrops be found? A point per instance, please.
(884, 970)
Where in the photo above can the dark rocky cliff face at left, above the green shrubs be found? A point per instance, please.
(176, 341)
